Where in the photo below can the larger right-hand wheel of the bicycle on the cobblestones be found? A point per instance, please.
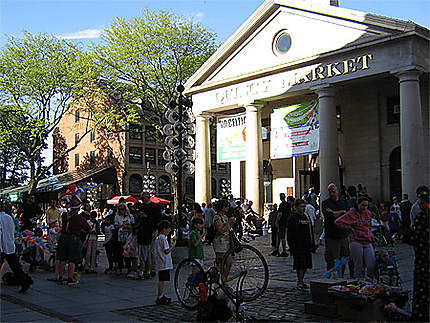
(248, 275)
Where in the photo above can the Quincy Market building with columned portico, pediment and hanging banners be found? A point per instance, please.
(367, 77)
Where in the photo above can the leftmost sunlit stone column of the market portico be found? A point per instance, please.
(202, 175)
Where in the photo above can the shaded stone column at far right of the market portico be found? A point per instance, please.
(411, 133)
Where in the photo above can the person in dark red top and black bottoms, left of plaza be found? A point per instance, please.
(69, 246)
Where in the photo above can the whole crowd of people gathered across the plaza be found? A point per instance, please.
(139, 238)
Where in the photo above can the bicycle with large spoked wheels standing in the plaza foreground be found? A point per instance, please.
(245, 280)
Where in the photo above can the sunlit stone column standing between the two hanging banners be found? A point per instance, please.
(254, 158)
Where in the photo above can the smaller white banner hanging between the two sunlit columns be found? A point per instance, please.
(231, 138)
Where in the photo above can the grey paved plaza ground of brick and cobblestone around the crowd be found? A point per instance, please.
(107, 298)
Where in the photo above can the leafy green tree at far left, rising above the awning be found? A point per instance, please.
(40, 77)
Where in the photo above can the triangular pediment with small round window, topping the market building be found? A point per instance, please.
(312, 31)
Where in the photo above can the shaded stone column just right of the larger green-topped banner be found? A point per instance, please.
(329, 151)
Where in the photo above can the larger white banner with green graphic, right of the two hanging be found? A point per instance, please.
(294, 130)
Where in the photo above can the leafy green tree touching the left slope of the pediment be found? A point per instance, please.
(144, 59)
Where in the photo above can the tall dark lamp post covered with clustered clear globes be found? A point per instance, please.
(179, 141)
